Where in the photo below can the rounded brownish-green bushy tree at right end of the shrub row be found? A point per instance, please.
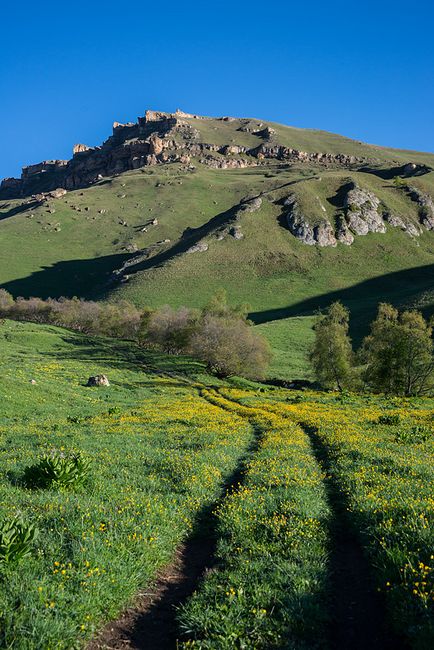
(229, 346)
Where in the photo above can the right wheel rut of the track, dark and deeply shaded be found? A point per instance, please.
(358, 612)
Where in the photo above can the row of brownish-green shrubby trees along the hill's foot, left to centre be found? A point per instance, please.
(219, 335)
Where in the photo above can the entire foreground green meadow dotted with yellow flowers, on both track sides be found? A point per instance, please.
(160, 444)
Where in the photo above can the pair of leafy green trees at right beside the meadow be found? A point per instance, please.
(397, 357)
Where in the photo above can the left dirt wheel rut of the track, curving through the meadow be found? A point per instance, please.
(151, 623)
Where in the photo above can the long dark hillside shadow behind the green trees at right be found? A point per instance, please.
(400, 288)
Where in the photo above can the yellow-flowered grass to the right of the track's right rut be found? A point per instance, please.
(385, 472)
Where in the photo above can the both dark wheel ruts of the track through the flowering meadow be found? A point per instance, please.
(356, 615)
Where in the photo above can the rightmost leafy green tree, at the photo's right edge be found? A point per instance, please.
(399, 352)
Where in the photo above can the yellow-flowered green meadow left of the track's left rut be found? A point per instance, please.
(158, 454)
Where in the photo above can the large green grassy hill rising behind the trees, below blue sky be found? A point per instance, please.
(71, 245)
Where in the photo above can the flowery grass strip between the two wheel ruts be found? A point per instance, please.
(268, 589)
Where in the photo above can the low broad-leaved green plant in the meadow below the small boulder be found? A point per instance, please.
(57, 471)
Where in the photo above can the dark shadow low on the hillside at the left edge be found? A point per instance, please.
(69, 278)
